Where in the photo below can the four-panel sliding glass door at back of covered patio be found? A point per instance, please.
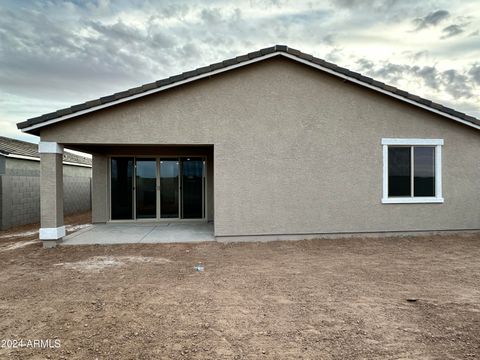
(157, 188)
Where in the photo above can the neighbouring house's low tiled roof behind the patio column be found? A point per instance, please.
(25, 150)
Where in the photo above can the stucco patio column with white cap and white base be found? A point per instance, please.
(52, 228)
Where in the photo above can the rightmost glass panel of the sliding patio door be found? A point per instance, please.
(192, 188)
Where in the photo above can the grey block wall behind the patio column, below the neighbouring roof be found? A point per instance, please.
(20, 191)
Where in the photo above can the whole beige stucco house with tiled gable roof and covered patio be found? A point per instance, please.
(275, 144)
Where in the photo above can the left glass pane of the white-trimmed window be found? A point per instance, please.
(399, 171)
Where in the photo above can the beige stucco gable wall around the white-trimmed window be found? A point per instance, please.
(296, 150)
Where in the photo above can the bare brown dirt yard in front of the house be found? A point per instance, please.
(323, 299)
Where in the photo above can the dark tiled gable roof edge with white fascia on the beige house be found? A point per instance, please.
(279, 50)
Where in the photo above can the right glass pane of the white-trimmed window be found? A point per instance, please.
(424, 171)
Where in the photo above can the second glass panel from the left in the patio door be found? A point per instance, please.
(146, 188)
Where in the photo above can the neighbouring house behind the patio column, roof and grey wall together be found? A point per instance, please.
(20, 183)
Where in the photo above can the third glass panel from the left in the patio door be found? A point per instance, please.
(169, 184)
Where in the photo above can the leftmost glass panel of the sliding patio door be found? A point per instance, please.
(121, 188)
